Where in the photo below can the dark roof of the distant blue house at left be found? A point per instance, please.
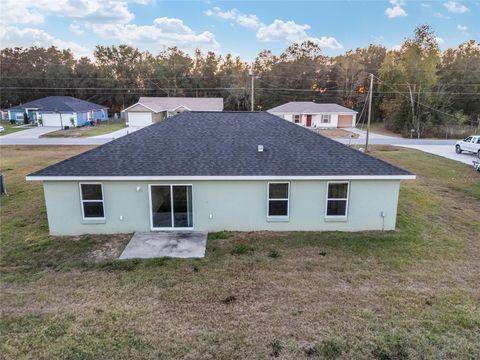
(60, 103)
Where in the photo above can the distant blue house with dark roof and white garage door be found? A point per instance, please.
(58, 111)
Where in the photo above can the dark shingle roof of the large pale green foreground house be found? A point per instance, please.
(222, 144)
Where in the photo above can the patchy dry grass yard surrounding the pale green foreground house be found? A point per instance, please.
(412, 293)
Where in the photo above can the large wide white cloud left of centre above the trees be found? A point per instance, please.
(163, 32)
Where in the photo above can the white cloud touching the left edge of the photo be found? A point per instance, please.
(12, 36)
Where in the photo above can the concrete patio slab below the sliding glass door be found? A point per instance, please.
(146, 245)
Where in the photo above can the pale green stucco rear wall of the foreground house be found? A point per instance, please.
(233, 205)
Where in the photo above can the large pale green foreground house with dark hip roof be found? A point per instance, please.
(211, 171)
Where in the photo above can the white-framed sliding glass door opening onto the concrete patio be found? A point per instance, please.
(171, 206)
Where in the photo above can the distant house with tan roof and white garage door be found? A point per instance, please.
(153, 109)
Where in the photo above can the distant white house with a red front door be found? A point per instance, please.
(314, 115)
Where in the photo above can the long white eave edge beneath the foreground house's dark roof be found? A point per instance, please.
(217, 178)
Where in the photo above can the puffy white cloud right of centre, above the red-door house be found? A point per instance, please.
(290, 31)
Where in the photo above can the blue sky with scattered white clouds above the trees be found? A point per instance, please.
(238, 27)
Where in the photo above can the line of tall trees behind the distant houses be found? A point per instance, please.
(416, 87)
